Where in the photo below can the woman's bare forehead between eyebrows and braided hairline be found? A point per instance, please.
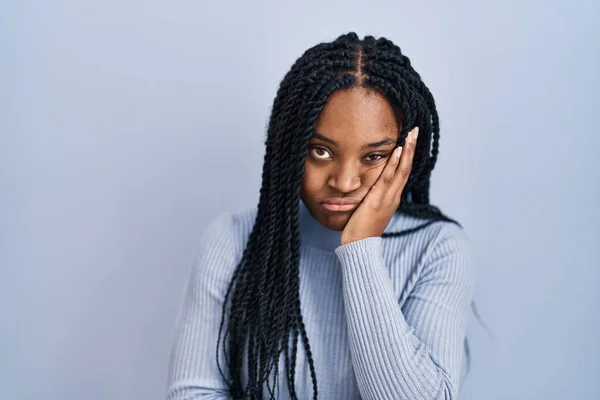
(357, 115)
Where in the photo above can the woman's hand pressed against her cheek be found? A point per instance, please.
(374, 213)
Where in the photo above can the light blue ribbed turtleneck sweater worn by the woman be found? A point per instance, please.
(385, 317)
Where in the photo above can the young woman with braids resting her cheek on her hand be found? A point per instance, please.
(345, 282)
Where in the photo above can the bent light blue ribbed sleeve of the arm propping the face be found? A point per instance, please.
(415, 352)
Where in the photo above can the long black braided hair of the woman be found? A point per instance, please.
(262, 302)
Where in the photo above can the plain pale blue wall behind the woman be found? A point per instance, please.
(125, 126)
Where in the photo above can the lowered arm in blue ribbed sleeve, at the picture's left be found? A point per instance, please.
(193, 372)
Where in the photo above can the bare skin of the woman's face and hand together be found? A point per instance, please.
(352, 159)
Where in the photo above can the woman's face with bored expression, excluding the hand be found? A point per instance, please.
(355, 135)
